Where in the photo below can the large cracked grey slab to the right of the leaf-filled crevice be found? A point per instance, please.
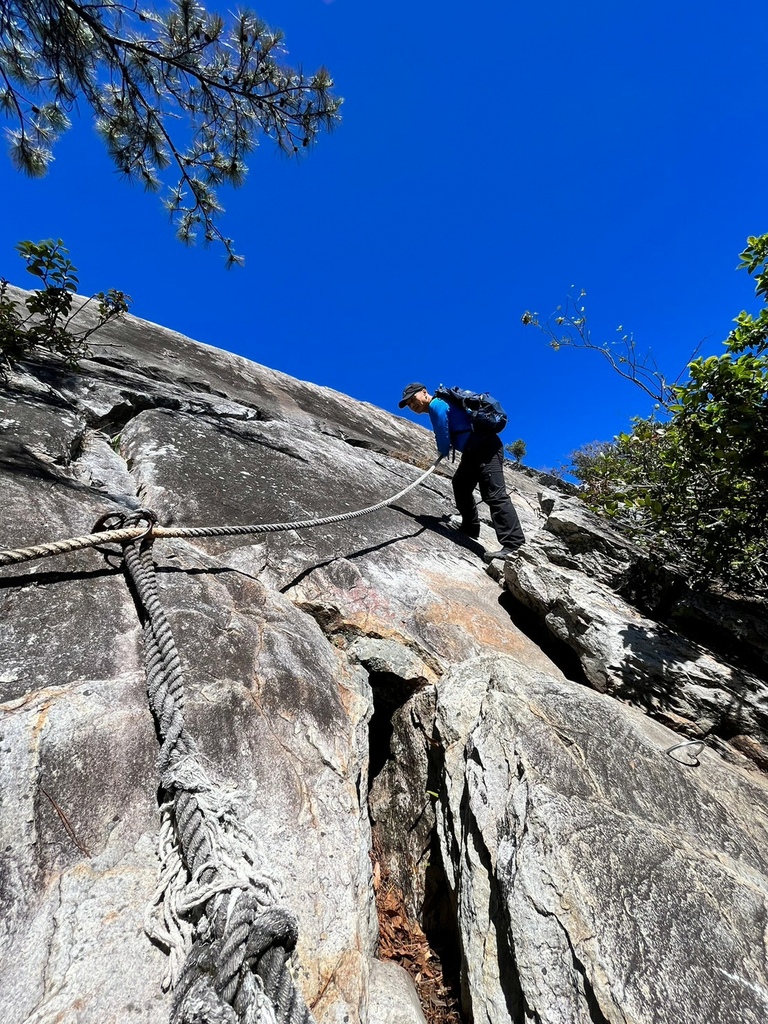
(601, 879)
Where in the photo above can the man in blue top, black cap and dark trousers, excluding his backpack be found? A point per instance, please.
(482, 464)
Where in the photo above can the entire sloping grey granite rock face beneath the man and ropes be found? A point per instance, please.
(372, 671)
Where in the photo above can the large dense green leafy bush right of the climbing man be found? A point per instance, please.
(695, 483)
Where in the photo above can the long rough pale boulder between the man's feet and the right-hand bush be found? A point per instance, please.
(642, 661)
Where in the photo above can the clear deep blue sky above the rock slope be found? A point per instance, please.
(491, 156)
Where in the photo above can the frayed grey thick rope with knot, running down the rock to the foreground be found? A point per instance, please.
(236, 971)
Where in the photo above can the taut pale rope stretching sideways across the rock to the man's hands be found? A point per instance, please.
(123, 535)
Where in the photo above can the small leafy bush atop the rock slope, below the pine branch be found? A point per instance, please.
(47, 318)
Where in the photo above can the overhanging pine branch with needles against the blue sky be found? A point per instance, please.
(224, 82)
